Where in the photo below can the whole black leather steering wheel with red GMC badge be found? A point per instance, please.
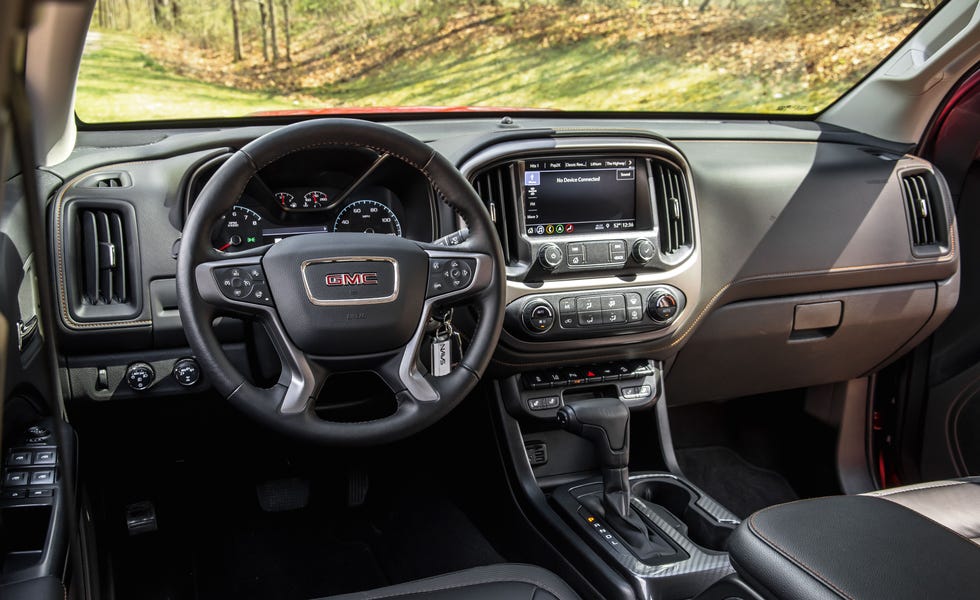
(341, 302)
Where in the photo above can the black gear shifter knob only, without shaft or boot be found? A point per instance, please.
(606, 423)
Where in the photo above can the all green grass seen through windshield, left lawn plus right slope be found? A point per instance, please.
(118, 82)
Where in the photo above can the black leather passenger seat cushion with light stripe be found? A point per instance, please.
(917, 541)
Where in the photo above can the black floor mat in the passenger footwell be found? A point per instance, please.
(740, 486)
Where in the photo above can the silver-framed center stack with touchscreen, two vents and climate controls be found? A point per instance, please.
(600, 239)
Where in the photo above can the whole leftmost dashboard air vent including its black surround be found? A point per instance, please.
(98, 262)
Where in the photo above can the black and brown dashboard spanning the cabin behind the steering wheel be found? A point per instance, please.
(769, 256)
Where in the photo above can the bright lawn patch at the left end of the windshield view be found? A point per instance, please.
(118, 82)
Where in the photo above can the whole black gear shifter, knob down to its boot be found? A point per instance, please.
(605, 423)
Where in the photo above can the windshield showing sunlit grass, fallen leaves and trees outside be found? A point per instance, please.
(191, 59)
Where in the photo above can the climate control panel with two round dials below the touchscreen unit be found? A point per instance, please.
(595, 313)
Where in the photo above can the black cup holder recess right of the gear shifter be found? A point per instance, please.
(679, 501)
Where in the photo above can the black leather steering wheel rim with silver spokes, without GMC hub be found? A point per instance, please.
(418, 406)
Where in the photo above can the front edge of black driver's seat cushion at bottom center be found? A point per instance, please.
(495, 582)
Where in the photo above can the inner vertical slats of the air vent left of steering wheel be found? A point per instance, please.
(103, 257)
